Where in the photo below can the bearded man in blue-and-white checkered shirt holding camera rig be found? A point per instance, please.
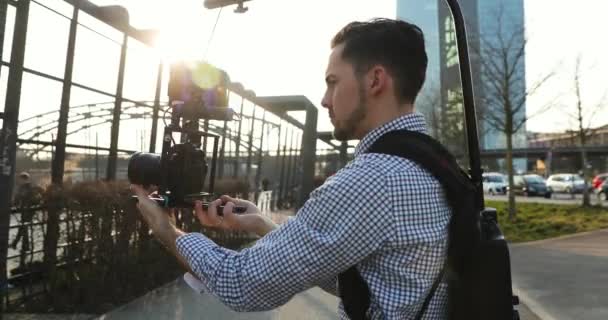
(382, 213)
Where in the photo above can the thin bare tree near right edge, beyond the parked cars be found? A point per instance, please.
(583, 118)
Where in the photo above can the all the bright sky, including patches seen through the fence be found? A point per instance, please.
(281, 47)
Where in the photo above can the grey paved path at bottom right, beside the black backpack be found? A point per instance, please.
(564, 278)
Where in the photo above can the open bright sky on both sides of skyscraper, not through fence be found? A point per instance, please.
(281, 47)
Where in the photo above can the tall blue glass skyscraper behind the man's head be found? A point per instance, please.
(491, 24)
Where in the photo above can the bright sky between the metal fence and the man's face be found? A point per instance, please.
(277, 47)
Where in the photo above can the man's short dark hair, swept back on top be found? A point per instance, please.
(395, 44)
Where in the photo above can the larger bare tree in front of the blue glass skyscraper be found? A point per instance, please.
(504, 92)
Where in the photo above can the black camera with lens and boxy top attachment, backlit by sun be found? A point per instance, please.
(197, 91)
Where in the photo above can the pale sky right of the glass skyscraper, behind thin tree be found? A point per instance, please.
(558, 32)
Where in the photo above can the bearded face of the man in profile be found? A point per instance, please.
(344, 97)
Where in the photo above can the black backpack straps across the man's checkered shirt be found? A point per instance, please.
(433, 157)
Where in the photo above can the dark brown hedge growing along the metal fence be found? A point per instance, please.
(98, 254)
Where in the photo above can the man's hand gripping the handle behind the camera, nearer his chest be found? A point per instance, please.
(250, 221)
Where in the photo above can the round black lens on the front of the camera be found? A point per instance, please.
(144, 169)
